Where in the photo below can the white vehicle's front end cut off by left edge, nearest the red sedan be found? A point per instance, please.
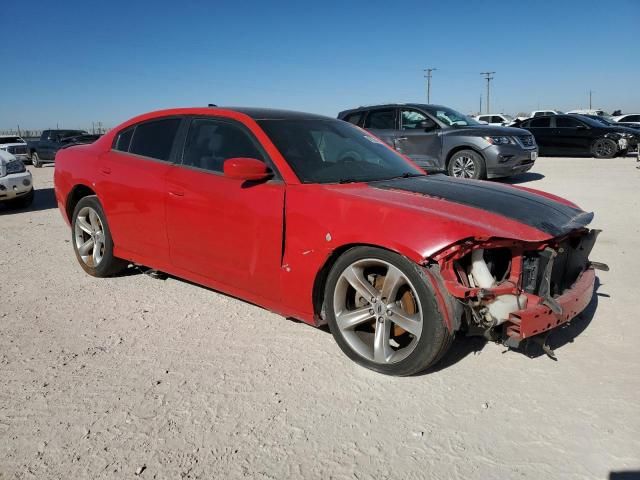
(16, 184)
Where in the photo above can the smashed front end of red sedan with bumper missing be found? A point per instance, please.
(510, 291)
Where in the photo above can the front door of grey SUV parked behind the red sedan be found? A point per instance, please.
(421, 144)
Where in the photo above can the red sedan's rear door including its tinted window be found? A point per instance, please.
(132, 187)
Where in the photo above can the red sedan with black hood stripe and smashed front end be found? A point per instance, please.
(319, 220)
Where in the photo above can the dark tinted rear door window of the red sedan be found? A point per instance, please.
(155, 139)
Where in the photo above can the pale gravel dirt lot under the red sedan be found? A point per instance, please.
(134, 377)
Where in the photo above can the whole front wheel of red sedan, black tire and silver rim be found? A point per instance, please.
(383, 314)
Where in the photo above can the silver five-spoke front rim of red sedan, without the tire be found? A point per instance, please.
(377, 311)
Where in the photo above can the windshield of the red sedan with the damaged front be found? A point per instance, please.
(332, 151)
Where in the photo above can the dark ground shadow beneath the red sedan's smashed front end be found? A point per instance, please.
(557, 338)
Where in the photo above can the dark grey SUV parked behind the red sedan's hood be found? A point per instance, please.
(438, 138)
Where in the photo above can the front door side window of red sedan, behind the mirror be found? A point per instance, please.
(211, 142)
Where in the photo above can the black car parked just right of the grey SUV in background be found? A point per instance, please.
(580, 135)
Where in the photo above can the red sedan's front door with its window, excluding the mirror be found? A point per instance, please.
(224, 229)
